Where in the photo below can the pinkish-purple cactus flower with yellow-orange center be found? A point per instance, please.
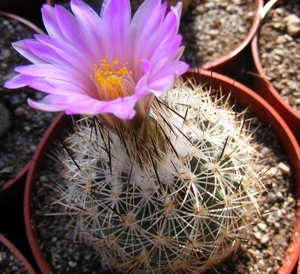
(91, 64)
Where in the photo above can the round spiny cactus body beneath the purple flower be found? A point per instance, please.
(174, 196)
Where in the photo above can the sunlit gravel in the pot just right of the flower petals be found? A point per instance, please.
(213, 28)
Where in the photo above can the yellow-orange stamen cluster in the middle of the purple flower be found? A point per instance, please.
(112, 81)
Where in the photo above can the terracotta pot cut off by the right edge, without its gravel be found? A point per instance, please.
(265, 88)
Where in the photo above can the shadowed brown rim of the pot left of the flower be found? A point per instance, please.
(7, 185)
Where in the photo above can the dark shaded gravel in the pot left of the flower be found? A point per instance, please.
(21, 127)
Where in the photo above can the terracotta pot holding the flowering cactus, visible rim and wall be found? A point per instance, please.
(245, 97)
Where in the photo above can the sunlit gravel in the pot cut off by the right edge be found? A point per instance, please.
(279, 49)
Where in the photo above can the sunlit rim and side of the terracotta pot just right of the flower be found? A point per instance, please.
(235, 57)
